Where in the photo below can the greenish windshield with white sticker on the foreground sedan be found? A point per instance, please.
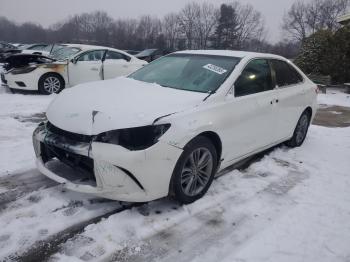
(199, 73)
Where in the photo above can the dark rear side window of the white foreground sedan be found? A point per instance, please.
(285, 74)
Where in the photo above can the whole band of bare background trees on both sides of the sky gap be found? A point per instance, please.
(231, 25)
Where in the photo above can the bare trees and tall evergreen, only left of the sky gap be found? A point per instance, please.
(196, 26)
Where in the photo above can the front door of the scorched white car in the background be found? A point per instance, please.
(86, 67)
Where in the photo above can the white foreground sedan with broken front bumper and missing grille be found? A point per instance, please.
(168, 128)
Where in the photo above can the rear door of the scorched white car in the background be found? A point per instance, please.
(116, 64)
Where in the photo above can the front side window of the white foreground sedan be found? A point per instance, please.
(255, 78)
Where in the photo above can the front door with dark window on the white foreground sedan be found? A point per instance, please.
(253, 115)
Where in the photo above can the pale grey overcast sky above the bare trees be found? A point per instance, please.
(47, 12)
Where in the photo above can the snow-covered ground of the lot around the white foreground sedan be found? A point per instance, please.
(292, 205)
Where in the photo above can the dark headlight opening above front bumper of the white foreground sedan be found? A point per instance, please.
(137, 138)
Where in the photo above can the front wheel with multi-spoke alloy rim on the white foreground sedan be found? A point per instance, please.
(194, 171)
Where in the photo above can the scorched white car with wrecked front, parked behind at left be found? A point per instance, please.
(68, 67)
